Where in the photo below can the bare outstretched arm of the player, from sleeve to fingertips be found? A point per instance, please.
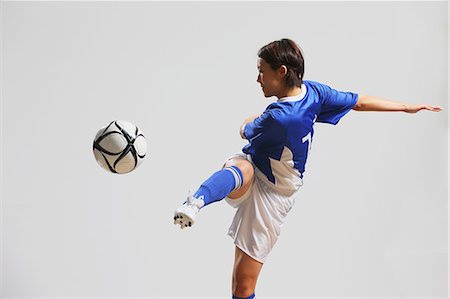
(372, 103)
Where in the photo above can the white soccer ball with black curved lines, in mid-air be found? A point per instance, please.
(119, 147)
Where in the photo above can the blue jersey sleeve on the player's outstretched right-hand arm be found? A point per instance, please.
(334, 104)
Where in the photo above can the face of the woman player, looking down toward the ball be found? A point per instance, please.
(270, 80)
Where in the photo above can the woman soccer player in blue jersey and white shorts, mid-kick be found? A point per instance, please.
(263, 181)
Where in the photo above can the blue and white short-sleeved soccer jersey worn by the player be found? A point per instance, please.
(280, 138)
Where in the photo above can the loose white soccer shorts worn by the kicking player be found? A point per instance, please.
(260, 215)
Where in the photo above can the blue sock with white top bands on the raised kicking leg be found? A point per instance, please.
(220, 184)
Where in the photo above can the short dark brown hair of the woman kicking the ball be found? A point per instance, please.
(285, 52)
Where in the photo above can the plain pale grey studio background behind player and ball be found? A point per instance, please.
(370, 221)
